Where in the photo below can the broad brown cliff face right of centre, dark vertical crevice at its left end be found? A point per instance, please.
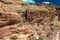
(41, 13)
